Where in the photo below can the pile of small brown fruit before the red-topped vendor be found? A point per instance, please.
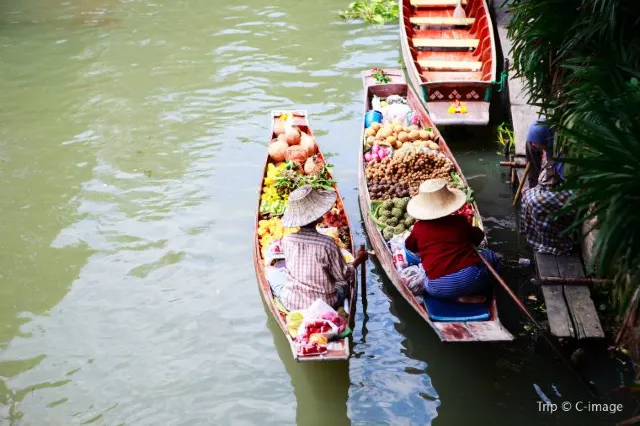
(402, 175)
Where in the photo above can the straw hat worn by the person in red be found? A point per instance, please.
(435, 200)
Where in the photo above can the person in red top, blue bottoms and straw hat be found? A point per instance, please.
(446, 244)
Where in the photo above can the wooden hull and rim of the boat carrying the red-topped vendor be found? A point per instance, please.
(471, 331)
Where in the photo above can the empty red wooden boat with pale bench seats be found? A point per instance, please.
(449, 59)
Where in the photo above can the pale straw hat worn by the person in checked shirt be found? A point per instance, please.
(307, 205)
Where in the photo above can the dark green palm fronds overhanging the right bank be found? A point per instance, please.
(580, 60)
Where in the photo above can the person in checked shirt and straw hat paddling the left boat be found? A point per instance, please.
(314, 262)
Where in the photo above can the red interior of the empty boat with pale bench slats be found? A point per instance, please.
(445, 48)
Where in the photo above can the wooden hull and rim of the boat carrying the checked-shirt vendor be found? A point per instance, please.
(338, 349)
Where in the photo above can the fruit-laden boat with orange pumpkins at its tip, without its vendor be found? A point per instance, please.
(269, 231)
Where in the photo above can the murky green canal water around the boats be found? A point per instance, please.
(131, 140)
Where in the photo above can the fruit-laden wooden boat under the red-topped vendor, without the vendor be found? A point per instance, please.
(452, 322)
